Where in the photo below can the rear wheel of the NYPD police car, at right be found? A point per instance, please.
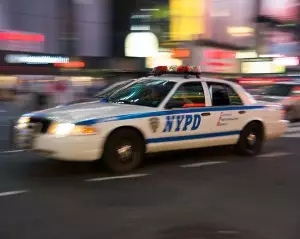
(251, 140)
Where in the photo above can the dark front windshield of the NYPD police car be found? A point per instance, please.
(148, 92)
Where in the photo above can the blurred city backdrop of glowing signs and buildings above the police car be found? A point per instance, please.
(54, 51)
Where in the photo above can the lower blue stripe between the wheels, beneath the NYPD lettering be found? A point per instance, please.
(191, 137)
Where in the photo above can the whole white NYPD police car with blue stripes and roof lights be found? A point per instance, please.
(173, 109)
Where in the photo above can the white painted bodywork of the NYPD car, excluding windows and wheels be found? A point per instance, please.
(167, 135)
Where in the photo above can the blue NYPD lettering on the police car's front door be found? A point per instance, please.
(176, 123)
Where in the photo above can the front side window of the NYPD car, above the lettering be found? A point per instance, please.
(188, 95)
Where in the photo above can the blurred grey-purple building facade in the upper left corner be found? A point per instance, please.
(77, 27)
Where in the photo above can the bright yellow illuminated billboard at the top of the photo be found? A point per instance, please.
(187, 19)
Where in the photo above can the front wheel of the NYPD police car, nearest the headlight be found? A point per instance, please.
(124, 151)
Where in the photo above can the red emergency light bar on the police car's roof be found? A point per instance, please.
(185, 70)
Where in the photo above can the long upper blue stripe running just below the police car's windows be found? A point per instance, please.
(166, 112)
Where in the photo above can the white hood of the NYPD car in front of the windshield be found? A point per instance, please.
(90, 110)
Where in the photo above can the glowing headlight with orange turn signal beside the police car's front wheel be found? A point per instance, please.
(63, 129)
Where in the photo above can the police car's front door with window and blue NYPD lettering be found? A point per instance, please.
(186, 119)
